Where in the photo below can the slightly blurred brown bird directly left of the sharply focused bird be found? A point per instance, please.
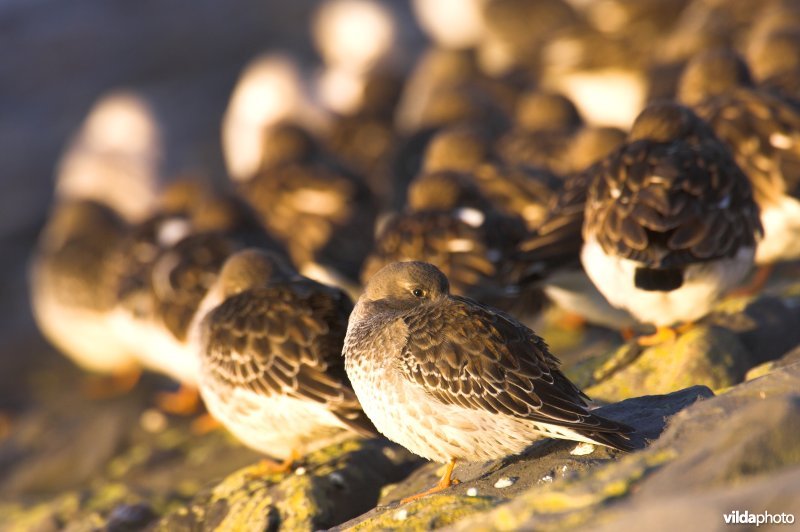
(271, 365)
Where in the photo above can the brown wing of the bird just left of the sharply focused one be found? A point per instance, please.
(285, 340)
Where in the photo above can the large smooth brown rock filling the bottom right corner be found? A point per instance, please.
(711, 458)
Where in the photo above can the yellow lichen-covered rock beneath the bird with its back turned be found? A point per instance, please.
(718, 352)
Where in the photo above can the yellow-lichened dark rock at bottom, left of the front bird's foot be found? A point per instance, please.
(332, 486)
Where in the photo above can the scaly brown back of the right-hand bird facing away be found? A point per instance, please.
(671, 204)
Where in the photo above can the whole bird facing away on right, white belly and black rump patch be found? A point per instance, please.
(670, 221)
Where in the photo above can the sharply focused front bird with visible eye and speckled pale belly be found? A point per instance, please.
(450, 378)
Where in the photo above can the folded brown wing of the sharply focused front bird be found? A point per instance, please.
(469, 355)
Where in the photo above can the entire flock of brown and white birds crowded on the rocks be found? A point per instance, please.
(451, 192)
